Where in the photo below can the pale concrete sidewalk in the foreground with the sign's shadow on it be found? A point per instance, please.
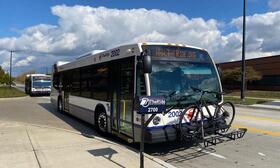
(30, 146)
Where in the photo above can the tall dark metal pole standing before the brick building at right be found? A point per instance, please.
(242, 96)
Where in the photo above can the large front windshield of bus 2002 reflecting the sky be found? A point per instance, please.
(170, 74)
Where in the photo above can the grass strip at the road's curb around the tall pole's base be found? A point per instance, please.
(247, 101)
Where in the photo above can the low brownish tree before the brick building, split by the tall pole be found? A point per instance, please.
(233, 76)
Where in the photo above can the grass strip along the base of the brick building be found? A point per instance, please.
(258, 94)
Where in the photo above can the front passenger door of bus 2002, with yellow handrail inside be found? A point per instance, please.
(122, 82)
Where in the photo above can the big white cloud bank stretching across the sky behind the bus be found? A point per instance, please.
(83, 28)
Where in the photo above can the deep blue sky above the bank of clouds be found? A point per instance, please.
(19, 14)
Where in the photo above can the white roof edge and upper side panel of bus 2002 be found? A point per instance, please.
(112, 54)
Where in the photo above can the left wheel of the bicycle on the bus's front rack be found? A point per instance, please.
(188, 122)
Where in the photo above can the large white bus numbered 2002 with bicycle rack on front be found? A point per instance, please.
(101, 88)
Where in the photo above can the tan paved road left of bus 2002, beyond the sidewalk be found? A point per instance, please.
(38, 110)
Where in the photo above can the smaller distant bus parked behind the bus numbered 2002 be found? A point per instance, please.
(38, 84)
